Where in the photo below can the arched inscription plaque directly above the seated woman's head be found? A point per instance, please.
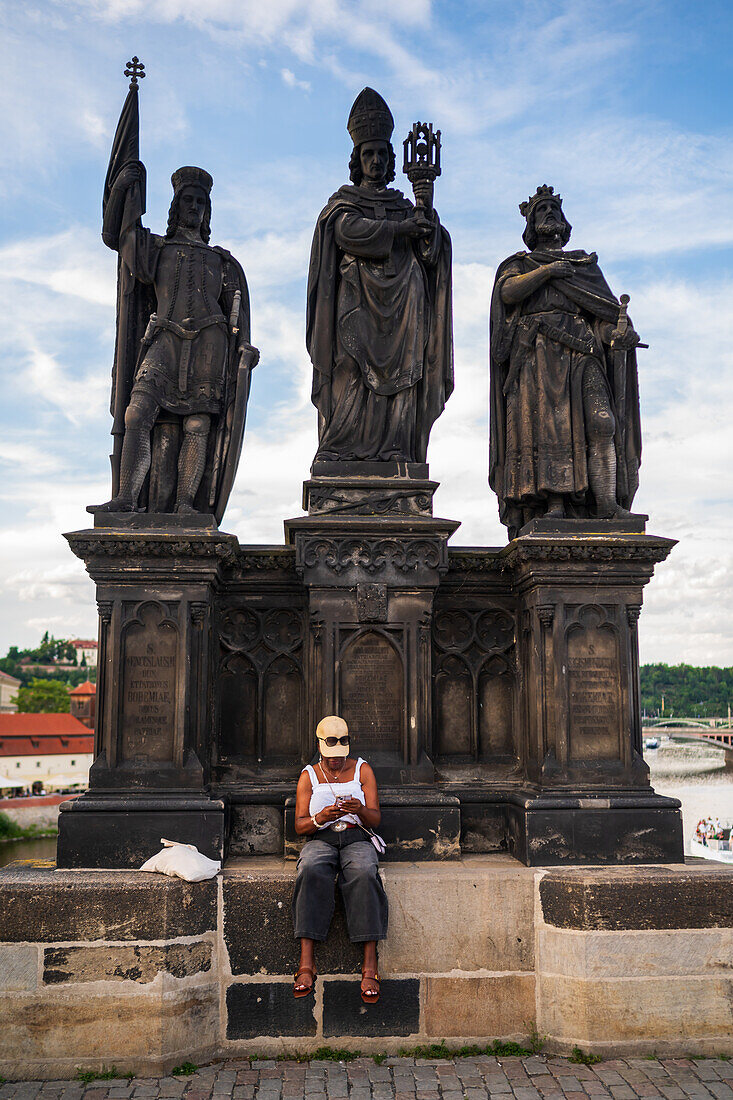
(373, 695)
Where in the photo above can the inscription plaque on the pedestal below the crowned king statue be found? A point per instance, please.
(595, 688)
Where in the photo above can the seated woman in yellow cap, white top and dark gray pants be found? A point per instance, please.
(333, 801)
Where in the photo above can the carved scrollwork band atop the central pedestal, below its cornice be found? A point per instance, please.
(371, 556)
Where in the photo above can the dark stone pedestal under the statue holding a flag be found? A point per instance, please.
(157, 582)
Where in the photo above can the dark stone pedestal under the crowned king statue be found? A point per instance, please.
(587, 795)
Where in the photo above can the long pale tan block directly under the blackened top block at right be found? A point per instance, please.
(598, 955)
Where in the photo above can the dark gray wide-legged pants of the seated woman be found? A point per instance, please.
(356, 864)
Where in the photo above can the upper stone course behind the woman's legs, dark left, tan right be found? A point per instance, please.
(448, 933)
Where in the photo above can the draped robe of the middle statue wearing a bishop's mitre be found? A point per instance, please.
(379, 328)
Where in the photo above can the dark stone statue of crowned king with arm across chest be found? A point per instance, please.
(566, 439)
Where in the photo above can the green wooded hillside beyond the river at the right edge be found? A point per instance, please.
(688, 691)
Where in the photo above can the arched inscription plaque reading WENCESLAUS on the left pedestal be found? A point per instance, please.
(149, 688)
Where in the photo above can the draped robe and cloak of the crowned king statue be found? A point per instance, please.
(539, 442)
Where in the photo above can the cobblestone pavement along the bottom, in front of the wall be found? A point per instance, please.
(532, 1079)
